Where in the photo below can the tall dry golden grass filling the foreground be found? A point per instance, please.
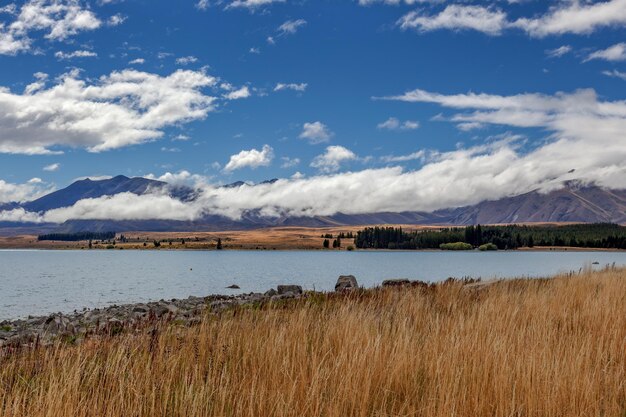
(521, 348)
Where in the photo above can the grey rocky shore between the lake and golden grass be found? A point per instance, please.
(75, 327)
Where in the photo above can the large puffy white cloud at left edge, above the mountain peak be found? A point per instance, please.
(120, 109)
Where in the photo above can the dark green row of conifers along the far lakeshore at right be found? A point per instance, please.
(597, 235)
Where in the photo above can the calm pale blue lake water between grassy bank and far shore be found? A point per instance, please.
(42, 282)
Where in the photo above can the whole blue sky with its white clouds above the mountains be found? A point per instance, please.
(355, 105)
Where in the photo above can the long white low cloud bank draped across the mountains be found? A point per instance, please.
(586, 143)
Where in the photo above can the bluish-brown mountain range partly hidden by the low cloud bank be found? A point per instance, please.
(572, 203)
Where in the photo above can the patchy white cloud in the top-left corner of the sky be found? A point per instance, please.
(59, 19)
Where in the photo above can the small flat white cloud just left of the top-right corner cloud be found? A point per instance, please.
(457, 17)
